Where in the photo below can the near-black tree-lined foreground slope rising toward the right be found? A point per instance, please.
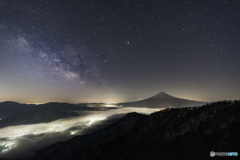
(186, 133)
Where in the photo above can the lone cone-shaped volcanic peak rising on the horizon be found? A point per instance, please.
(162, 100)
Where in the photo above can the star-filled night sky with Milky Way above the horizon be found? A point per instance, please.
(119, 50)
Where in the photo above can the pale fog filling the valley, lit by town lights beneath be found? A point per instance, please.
(24, 140)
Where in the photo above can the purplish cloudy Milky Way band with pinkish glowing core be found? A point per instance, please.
(68, 63)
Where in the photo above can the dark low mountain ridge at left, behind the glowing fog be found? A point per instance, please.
(12, 113)
